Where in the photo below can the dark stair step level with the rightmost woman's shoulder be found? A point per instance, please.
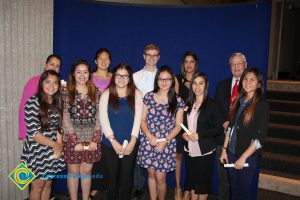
(284, 105)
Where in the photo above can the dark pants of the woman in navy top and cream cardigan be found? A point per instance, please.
(119, 173)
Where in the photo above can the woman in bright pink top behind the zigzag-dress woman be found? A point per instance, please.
(53, 62)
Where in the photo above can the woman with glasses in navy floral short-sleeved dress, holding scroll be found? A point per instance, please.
(162, 115)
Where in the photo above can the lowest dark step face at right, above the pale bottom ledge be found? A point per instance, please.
(281, 163)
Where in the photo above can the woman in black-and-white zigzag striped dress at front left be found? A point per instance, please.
(43, 145)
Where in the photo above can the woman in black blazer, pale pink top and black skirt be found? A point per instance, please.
(204, 121)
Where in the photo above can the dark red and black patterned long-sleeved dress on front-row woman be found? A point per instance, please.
(81, 125)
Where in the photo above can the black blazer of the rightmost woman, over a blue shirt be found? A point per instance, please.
(256, 129)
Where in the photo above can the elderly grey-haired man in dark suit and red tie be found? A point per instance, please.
(225, 94)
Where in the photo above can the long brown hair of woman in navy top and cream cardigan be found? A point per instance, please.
(130, 90)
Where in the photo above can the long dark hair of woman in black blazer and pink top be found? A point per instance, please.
(192, 98)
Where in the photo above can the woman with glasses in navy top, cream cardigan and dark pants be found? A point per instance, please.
(120, 116)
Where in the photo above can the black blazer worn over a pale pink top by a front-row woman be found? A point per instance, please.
(209, 125)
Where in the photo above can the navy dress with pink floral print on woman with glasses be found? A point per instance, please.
(159, 123)
